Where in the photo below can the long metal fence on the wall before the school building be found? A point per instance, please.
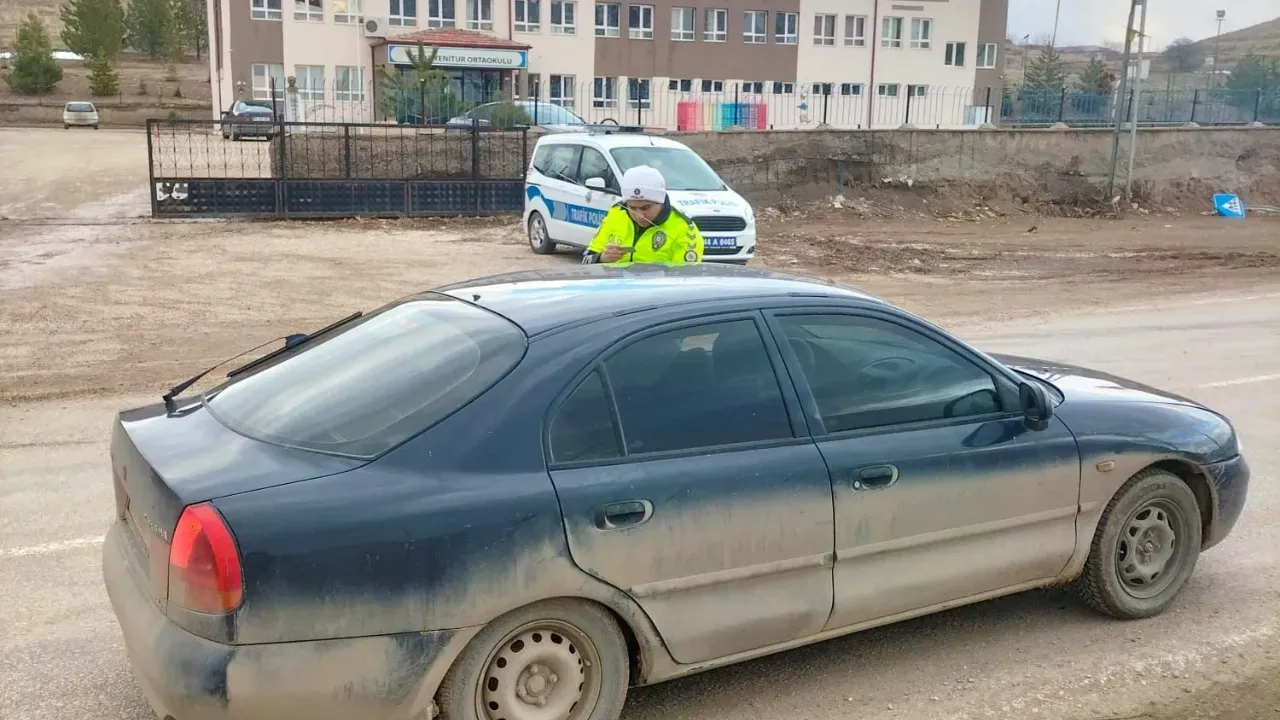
(716, 106)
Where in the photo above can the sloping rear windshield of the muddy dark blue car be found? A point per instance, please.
(369, 386)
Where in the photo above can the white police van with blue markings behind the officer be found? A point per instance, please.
(574, 181)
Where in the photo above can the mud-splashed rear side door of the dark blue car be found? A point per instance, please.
(688, 481)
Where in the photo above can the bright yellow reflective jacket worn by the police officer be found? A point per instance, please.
(674, 239)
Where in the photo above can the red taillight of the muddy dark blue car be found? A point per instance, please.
(204, 563)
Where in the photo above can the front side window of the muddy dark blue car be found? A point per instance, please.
(867, 373)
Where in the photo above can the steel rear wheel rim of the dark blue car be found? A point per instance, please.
(543, 671)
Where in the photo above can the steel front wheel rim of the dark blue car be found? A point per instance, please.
(1151, 549)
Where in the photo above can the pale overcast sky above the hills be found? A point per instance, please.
(1090, 22)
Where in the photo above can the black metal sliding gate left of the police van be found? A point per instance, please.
(275, 168)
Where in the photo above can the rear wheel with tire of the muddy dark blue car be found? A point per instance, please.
(575, 660)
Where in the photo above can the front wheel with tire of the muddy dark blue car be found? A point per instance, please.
(1145, 549)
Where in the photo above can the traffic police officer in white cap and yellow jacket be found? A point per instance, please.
(644, 227)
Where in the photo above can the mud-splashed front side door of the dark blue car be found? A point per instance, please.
(943, 493)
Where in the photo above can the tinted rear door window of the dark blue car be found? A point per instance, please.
(698, 388)
